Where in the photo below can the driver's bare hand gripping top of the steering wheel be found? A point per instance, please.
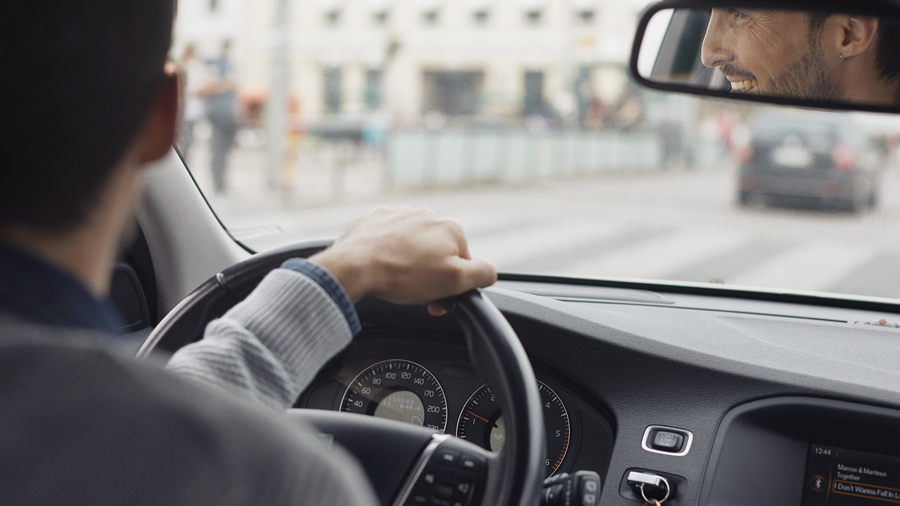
(405, 256)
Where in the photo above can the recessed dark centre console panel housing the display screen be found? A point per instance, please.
(795, 451)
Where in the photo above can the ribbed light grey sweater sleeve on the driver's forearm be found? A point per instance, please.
(270, 346)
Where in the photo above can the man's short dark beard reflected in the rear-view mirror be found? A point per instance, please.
(808, 79)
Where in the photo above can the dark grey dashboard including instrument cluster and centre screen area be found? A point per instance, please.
(756, 386)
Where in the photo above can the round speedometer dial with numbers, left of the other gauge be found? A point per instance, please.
(398, 390)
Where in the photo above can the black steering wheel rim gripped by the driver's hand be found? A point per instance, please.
(514, 478)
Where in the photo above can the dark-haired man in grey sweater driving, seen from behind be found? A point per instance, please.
(90, 108)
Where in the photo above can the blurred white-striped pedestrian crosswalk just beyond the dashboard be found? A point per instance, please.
(691, 254)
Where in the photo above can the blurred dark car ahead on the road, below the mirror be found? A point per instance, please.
(804, 158)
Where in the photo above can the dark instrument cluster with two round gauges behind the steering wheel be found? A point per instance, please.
(427, 379)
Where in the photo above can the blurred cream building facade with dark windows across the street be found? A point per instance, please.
(408, 58)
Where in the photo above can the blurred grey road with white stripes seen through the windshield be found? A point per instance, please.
(671, 225)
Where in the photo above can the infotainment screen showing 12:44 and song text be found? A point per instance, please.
(837, 476)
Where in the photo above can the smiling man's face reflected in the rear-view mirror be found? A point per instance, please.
(798, 55)
